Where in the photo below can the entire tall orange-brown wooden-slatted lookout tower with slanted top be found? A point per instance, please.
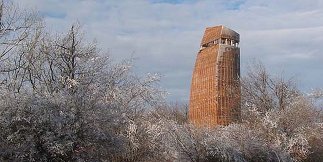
(215, 87)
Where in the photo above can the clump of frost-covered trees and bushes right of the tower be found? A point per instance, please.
(286, 118)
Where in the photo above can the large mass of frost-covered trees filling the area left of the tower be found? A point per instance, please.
(62, 100)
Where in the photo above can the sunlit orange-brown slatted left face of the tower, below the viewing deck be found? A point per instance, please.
(203, 91)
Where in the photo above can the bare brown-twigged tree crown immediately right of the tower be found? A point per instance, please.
(261, 90)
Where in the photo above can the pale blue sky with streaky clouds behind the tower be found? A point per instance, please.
(164, 35)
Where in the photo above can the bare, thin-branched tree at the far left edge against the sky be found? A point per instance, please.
(18, 29)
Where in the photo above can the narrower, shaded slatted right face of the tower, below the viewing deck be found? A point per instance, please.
(228, 89)
